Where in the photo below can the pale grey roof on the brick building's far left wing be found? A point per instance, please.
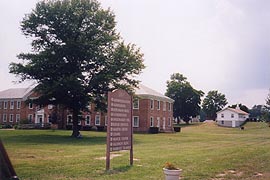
(15, 93)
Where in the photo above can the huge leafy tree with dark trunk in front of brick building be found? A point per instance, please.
(77, 56)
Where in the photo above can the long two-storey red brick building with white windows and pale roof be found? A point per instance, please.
(150, 109)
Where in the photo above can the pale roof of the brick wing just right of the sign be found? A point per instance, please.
(144, 91)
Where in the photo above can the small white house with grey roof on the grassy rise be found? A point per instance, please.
(230, 117)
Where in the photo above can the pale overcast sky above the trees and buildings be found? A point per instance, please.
(219, 45)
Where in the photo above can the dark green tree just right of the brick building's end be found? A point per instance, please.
(187, 100)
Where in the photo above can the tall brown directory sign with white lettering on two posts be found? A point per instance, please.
(119, 128)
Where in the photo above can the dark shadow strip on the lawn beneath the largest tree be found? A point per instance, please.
(53, 139)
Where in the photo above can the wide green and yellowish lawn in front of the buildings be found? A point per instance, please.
(203, 151)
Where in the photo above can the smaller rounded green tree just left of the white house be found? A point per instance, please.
(212, 103)
